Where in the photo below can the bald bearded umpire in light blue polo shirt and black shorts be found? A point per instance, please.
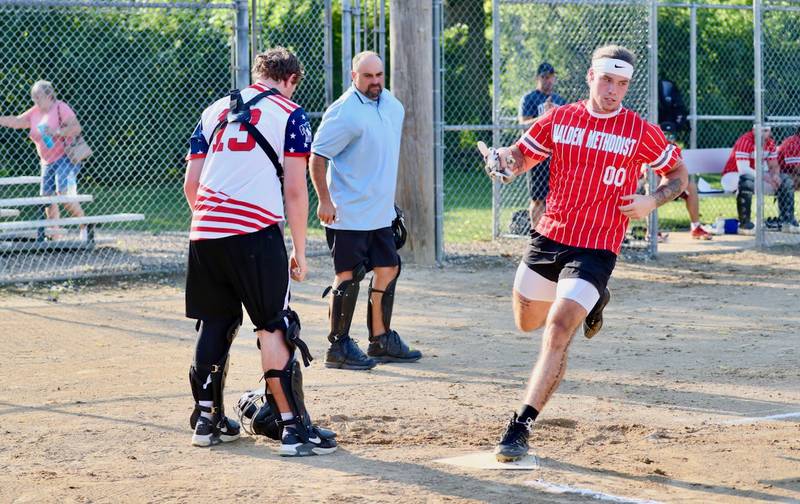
(360, 138)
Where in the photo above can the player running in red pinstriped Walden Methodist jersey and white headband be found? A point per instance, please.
(596, 149)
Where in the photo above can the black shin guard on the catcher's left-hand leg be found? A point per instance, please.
(205, 375)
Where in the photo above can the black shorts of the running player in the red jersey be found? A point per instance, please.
(555, 261)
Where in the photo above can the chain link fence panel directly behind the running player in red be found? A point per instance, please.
(491, 53)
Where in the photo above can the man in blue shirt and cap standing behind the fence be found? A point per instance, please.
(536, 104)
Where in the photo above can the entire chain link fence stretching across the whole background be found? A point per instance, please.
(138, 73)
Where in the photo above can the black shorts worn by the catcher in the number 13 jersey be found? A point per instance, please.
(250, 270)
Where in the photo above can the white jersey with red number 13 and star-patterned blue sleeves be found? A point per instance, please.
(239, 190)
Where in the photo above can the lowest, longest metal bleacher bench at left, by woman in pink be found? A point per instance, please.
(41, 243)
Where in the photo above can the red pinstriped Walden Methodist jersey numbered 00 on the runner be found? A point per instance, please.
(595, 159)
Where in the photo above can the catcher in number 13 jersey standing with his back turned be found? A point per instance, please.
(237, 254)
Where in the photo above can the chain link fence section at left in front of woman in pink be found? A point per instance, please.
(137, 76)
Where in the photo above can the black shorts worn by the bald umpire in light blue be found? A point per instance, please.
(372, 248)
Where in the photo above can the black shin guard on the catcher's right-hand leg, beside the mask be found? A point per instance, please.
(290, 380)
